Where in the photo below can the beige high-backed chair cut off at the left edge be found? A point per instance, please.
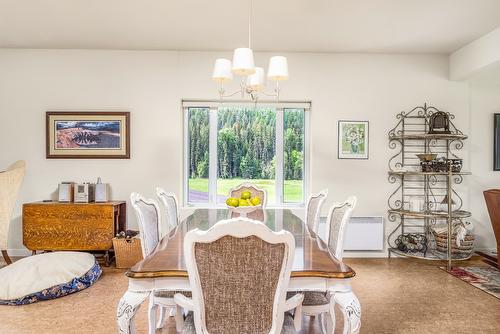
(10, 183)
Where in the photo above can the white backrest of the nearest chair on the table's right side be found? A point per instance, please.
(338, 217)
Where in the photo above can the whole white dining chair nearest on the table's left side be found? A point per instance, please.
(149, 221)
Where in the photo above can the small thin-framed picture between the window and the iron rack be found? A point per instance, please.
(353, 140)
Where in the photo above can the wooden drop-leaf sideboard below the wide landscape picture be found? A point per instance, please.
(73, 226)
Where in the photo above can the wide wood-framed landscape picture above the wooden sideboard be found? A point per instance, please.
(87, 135)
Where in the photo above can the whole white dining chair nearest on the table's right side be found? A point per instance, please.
(317, 303)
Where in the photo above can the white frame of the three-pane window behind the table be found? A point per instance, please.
(213, 106)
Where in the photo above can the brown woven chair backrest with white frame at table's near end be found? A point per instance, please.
(239, 272)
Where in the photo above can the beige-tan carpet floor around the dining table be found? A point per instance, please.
(396, 295)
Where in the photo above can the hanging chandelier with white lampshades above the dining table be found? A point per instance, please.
(252, 81)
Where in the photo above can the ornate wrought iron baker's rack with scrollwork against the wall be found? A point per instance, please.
(409, 137)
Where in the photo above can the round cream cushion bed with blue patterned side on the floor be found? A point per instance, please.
(47, 276)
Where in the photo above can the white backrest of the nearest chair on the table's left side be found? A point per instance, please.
(148, 219)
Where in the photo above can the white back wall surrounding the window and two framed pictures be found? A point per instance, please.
(151, 84)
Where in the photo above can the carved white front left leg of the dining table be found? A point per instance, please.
(127, 308)
